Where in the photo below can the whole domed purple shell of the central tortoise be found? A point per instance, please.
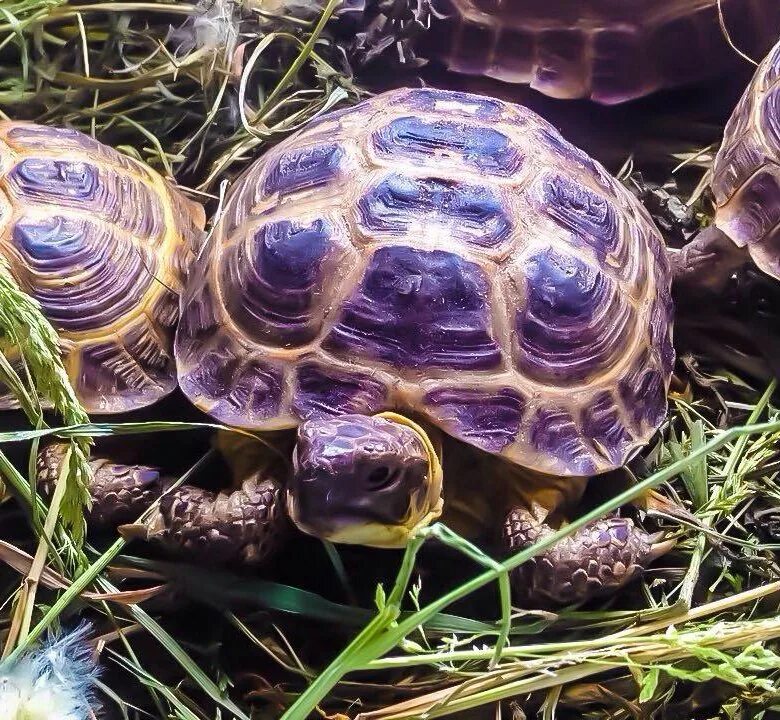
(444, 254)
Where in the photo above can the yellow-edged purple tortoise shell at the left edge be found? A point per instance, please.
(100, 241)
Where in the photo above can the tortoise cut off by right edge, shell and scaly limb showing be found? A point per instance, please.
(745, 184)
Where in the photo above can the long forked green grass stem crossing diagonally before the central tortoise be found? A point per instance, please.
(383, 633)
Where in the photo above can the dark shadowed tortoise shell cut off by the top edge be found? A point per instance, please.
(607, 50)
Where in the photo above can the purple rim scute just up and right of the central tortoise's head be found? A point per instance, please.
(489, 418)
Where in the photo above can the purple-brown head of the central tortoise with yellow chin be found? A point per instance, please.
(364, 480)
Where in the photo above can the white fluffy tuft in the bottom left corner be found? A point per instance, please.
(53, 682)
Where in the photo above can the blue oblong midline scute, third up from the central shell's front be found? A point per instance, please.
(484, 149)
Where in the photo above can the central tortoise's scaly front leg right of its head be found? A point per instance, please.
(596, 560)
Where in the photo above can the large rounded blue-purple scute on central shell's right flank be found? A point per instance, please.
(574, 324)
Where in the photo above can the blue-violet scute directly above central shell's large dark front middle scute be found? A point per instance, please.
(472, 212)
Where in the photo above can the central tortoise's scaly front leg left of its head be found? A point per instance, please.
(244, 525)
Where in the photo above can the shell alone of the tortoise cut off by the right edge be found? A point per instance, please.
(746, 171)
